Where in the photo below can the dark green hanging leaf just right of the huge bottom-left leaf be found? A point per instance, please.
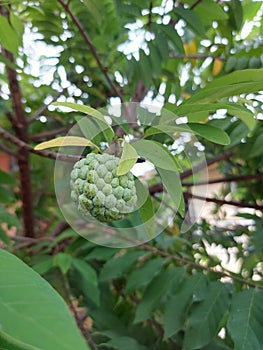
(86, 279)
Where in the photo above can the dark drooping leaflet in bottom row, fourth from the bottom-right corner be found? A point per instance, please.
(157, 290)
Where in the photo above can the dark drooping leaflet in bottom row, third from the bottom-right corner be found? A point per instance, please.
(192, 290)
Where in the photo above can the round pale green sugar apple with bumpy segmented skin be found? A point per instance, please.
(97, 190)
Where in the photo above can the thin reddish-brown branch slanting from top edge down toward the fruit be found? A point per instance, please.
(91, 47)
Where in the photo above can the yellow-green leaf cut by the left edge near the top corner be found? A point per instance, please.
(8, 37)
